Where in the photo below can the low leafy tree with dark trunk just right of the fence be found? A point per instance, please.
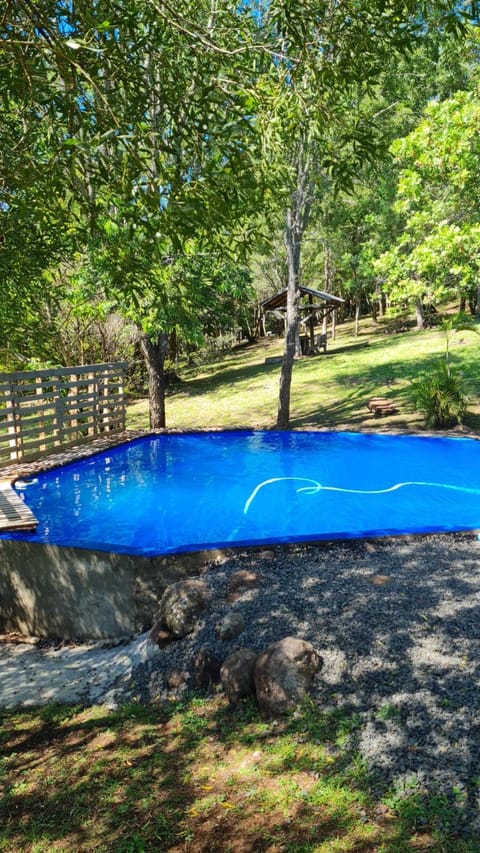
(183, 297)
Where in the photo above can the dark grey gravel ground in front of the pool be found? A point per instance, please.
(397, 622)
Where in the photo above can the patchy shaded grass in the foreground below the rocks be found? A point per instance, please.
(199, 776)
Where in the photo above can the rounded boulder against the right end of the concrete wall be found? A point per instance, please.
(181, 604)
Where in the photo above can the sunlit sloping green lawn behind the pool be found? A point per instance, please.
(328, 391)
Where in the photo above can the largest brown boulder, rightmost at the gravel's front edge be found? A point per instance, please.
(284, 675)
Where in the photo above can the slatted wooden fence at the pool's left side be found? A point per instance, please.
(41, 410)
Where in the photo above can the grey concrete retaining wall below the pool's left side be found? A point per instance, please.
(72, 594)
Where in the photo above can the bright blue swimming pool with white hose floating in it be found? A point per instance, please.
(175, 493)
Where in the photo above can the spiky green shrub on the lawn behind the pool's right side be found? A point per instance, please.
(439, 396)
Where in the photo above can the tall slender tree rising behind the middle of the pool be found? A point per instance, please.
(329, 58)
